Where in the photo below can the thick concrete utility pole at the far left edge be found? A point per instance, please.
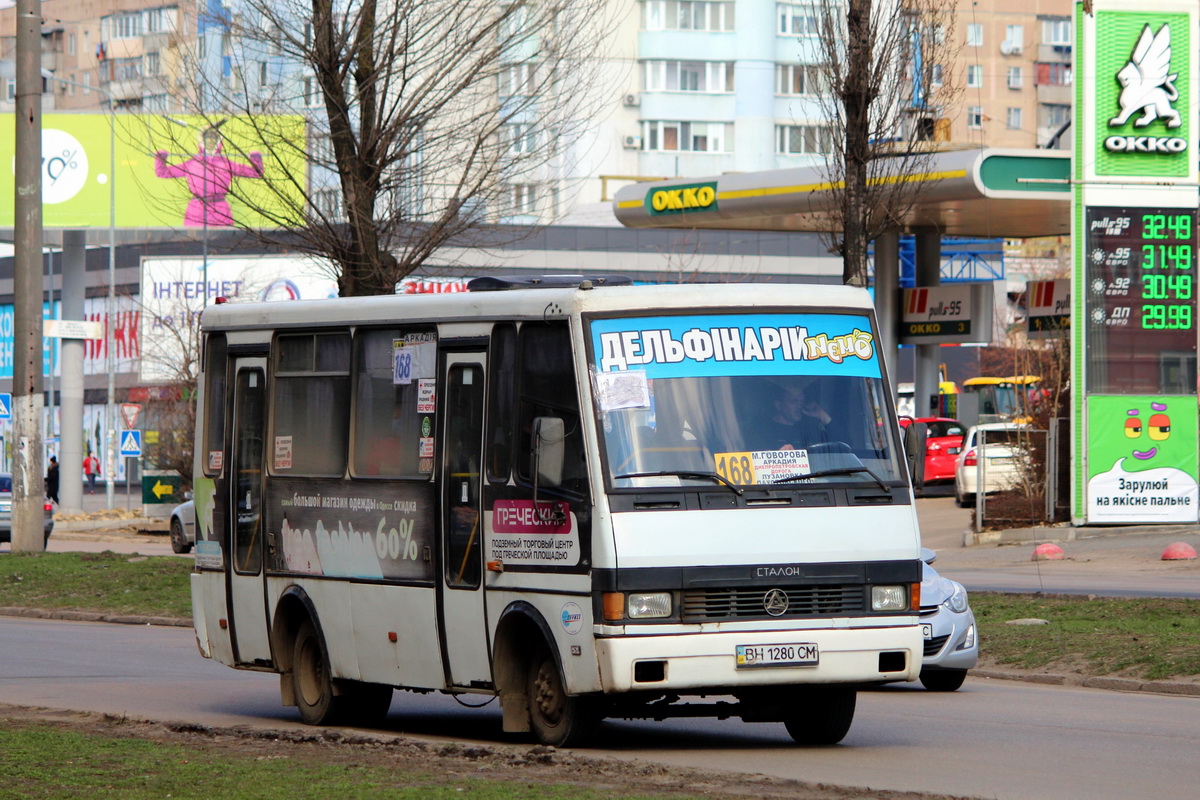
(28, 476)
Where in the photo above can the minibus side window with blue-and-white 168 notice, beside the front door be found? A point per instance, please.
(394, 412)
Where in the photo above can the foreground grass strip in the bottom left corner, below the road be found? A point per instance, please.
(46, 761)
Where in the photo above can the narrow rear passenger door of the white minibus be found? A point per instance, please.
(243, 507)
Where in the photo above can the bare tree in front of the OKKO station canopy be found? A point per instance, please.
(887, 83)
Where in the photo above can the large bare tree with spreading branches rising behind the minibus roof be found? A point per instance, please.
(428, 121)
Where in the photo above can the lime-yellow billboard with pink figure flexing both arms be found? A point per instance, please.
(171, 172)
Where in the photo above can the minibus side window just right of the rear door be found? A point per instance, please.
(311, 405)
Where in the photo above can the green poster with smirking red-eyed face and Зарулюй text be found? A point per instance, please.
(1142, 461)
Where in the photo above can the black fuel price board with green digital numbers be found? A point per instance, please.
(1142, 296)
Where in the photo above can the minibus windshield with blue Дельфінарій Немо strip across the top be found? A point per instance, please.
(785, 400)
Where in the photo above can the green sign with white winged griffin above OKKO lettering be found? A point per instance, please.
(1142, 110)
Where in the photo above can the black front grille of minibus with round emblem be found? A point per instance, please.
(751, 603)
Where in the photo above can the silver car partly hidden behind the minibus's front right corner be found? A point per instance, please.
(952, 640)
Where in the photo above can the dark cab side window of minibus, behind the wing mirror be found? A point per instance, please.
(548, 389)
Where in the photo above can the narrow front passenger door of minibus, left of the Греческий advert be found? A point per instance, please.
(464, 609)
